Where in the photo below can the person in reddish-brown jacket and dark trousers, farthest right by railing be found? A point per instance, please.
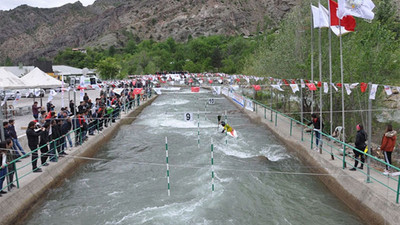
(387, 146)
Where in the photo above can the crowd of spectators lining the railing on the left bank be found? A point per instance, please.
(50, 134)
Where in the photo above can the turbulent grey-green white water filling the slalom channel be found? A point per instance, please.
(130, 186)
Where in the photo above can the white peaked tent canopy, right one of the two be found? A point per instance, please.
(39, 79)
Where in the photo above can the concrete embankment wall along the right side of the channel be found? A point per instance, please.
(372, 202)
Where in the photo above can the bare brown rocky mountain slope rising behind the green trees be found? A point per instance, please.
(29, 33)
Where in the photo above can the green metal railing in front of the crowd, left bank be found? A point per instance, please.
(54, 146)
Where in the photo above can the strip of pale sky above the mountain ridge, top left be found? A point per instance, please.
(11, 4)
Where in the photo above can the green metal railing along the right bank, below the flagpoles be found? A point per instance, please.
(337, 151)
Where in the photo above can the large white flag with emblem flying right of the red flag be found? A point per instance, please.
(357, 8)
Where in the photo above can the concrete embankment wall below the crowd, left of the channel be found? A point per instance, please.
(18, 204)
